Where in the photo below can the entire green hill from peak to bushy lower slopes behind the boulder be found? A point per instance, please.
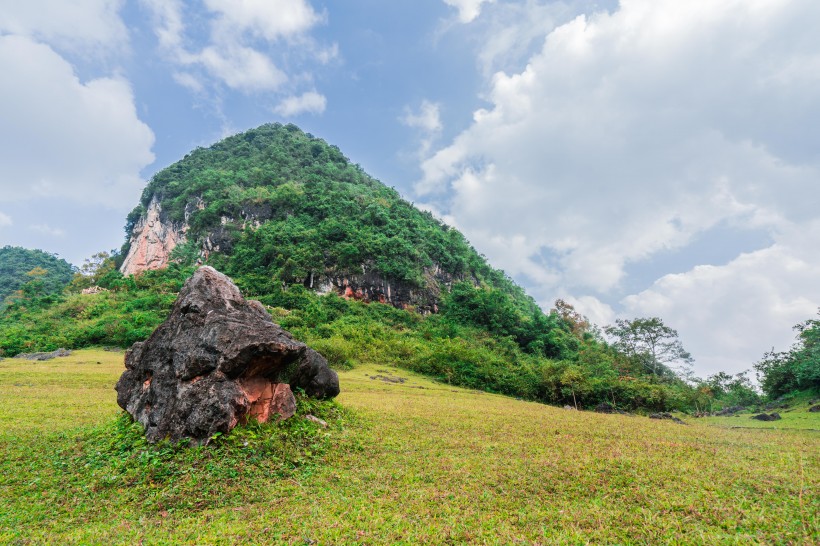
(348, 266)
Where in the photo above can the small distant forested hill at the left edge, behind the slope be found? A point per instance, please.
(20, 266)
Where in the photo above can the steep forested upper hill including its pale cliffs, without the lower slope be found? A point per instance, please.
(275, 207)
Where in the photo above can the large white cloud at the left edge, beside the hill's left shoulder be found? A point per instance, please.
(61, 137)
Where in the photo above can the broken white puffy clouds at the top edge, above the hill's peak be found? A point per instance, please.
(237, 51)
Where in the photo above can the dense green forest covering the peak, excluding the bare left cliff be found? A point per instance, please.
(313, 212)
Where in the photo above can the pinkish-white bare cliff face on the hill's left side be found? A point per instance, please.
(152, 241)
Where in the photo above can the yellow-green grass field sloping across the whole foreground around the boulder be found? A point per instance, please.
(413, 462)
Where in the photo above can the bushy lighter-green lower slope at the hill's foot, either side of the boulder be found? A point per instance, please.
(467, 349)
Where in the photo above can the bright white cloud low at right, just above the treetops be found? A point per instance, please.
(729, 315)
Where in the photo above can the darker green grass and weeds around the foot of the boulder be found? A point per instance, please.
(116, 455)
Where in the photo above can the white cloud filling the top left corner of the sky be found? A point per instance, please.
(77, 25)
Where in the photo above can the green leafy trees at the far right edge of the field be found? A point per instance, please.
(795, 370)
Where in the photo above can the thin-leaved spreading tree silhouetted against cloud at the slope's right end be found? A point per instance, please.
(651, 343)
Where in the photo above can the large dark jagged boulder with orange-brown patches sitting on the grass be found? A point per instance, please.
(217, 361)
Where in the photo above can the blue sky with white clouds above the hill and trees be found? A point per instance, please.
(636, 158)
